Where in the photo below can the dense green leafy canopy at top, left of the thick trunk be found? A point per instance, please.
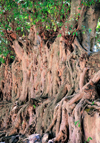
(26, 13)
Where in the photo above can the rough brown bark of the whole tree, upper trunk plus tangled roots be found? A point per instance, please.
(54, 90)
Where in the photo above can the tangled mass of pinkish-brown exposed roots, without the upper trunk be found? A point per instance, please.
(54, 77)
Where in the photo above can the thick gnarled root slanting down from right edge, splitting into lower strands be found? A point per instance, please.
(69, 113)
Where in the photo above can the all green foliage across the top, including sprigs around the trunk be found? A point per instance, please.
(19, 15)
